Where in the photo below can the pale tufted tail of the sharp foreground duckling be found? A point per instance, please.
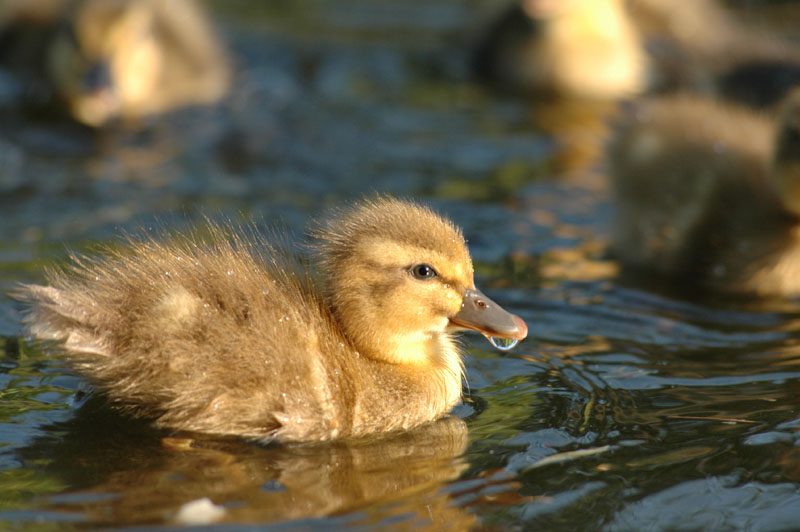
(58, 316)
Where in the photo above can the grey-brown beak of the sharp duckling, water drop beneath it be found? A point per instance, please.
(479, 313)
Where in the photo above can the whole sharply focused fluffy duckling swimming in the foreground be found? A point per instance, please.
(233, 337)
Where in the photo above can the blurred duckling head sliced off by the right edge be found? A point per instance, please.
(786, 164)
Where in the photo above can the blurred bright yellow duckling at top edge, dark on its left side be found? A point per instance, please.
(577, 48)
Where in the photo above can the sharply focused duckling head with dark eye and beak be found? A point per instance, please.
(400, 279)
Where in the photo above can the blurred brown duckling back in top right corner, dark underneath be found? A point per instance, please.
(703, 46)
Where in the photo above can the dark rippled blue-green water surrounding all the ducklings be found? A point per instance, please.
(633, 405)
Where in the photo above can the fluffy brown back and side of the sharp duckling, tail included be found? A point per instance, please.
(219, 337)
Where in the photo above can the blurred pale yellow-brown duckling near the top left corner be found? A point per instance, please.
(112, 58)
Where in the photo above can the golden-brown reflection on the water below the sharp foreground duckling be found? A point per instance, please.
(148, 477)
